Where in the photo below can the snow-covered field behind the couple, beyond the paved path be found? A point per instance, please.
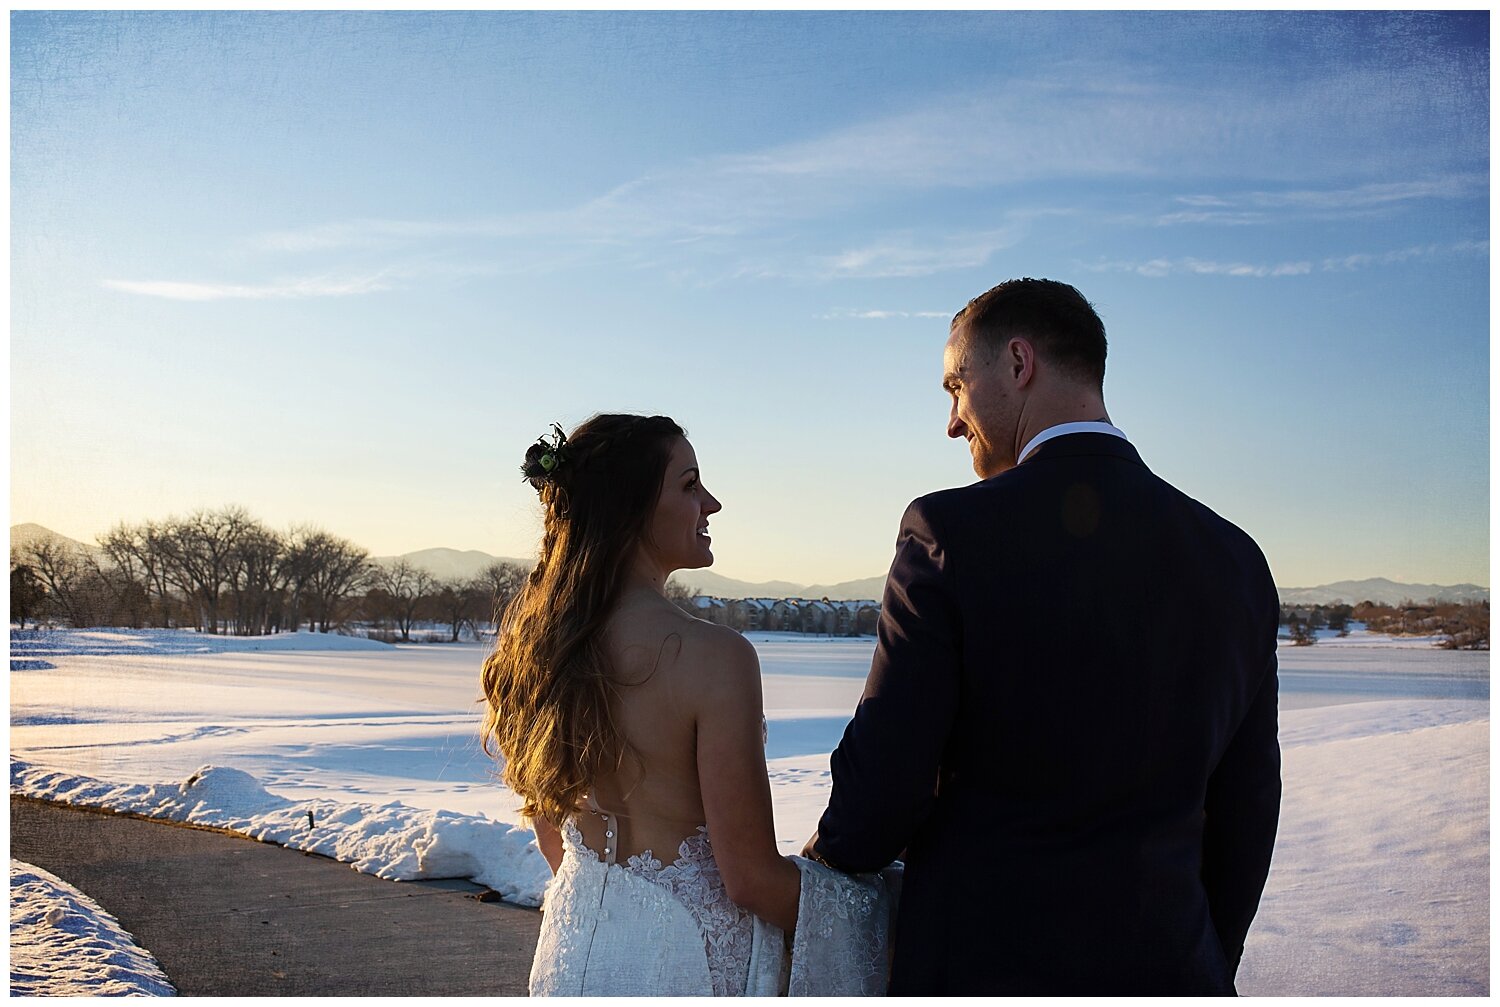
(370, 754)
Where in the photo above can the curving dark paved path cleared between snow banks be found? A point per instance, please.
(230, 916)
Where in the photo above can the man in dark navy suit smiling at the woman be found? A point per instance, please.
(1070, 727)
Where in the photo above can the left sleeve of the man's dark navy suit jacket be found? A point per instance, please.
(886, 768)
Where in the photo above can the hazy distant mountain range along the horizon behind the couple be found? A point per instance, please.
(455, 564)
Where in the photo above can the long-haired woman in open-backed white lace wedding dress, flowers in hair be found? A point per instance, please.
(635, 736)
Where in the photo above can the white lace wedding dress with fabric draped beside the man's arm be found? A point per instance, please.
(653, 930)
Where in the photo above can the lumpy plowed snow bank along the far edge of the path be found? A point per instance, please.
(389, 841)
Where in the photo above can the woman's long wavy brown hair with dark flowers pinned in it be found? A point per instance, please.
(550, 685)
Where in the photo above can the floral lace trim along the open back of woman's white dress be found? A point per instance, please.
(694, 880)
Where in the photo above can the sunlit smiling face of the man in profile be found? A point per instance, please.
(983, 409)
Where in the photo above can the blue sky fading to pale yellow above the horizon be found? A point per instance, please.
(344, 268)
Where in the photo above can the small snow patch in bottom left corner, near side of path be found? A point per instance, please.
(65, 945)
